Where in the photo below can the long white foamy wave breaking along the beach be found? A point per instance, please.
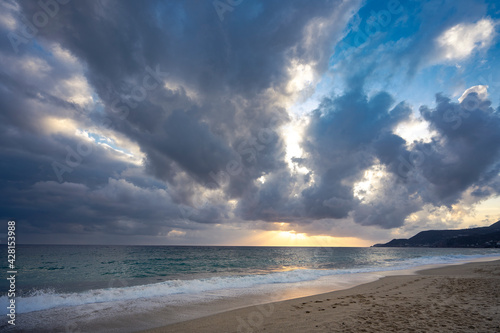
(46, 299)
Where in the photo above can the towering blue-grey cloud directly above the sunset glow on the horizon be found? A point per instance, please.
(346, 135)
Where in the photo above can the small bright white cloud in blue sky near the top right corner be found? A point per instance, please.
(458, 42)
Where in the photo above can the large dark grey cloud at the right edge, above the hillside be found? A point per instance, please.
(463, 156)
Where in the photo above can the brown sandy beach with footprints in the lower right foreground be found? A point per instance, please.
(458, 298)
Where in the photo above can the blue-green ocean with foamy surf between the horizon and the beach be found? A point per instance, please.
(65, 278)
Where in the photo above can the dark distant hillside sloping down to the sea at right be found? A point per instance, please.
(473, 237)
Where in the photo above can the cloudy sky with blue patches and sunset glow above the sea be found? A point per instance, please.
(247, 122)
